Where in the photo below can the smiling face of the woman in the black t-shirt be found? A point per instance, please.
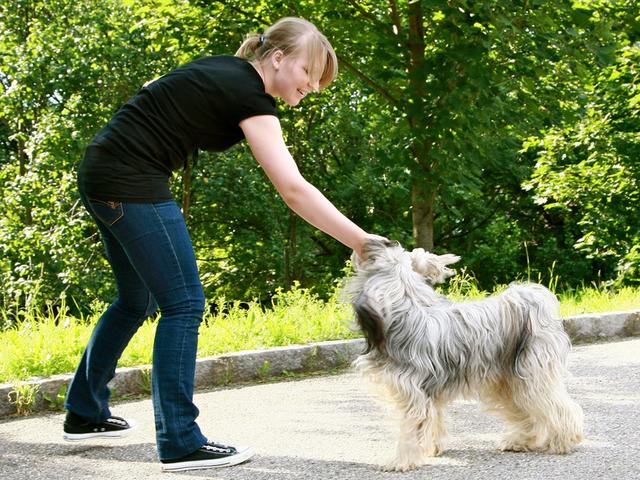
(291, 79)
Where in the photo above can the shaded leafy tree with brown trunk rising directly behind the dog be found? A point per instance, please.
(462, 77)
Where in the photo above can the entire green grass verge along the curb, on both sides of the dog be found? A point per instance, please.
(41, 345)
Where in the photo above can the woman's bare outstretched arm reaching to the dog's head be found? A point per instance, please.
(264, 135)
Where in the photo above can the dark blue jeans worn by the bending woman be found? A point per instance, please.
(152, 258)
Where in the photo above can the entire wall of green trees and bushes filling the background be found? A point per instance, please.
(513, 124)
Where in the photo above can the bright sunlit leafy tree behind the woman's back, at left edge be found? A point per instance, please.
(67, 66)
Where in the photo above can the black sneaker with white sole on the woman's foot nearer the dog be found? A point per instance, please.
(210, 455)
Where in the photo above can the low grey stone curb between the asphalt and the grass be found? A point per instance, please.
(276, 362)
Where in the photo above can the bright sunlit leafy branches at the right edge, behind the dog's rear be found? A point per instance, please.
(587, 172)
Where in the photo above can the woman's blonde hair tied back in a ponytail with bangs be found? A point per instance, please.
(294, 36)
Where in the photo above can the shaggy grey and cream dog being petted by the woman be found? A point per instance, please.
(509, 351)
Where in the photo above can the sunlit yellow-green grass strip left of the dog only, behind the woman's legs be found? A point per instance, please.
(52, 343)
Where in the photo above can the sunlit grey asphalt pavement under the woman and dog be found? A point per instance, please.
(331, 427)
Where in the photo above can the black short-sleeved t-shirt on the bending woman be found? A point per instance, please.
(197, 106)
